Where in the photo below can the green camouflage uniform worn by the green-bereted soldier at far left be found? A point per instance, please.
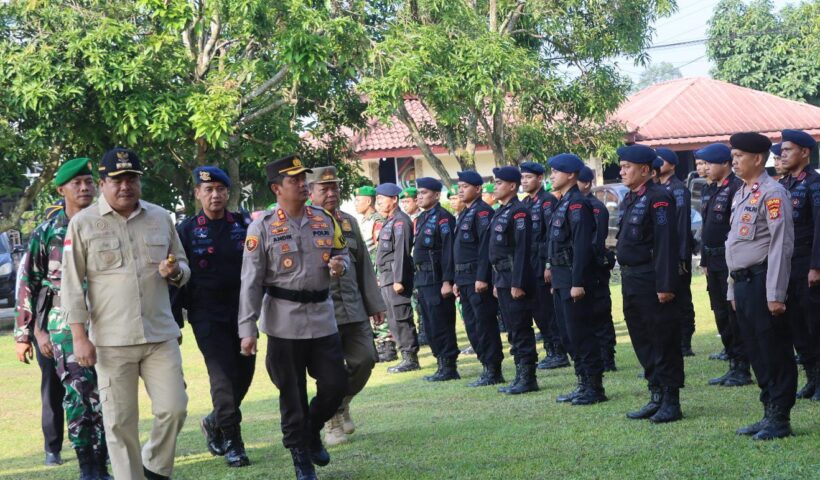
(42, 270)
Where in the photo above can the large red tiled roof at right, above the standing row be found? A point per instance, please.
(690, 112)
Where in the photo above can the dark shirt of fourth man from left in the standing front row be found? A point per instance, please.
(509, 247)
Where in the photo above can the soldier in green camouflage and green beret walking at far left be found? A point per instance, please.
(40, 286)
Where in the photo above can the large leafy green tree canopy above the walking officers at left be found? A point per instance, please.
(183, 82)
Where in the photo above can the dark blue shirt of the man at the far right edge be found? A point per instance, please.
(805, 193)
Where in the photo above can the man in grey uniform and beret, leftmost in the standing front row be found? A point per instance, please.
(395, 267)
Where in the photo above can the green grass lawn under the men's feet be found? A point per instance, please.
(409, 429)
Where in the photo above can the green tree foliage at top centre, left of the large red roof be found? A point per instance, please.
(527, 78)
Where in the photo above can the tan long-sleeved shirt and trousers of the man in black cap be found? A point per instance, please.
(131, 325)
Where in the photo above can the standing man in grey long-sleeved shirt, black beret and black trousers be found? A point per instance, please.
(758, 253)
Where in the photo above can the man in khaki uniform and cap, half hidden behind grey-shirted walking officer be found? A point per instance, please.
(356, 298)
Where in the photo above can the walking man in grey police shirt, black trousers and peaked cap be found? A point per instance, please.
(291, 254)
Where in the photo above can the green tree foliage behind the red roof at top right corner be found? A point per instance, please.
(777, 52)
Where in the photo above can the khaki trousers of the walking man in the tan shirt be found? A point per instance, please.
(118, 371)
